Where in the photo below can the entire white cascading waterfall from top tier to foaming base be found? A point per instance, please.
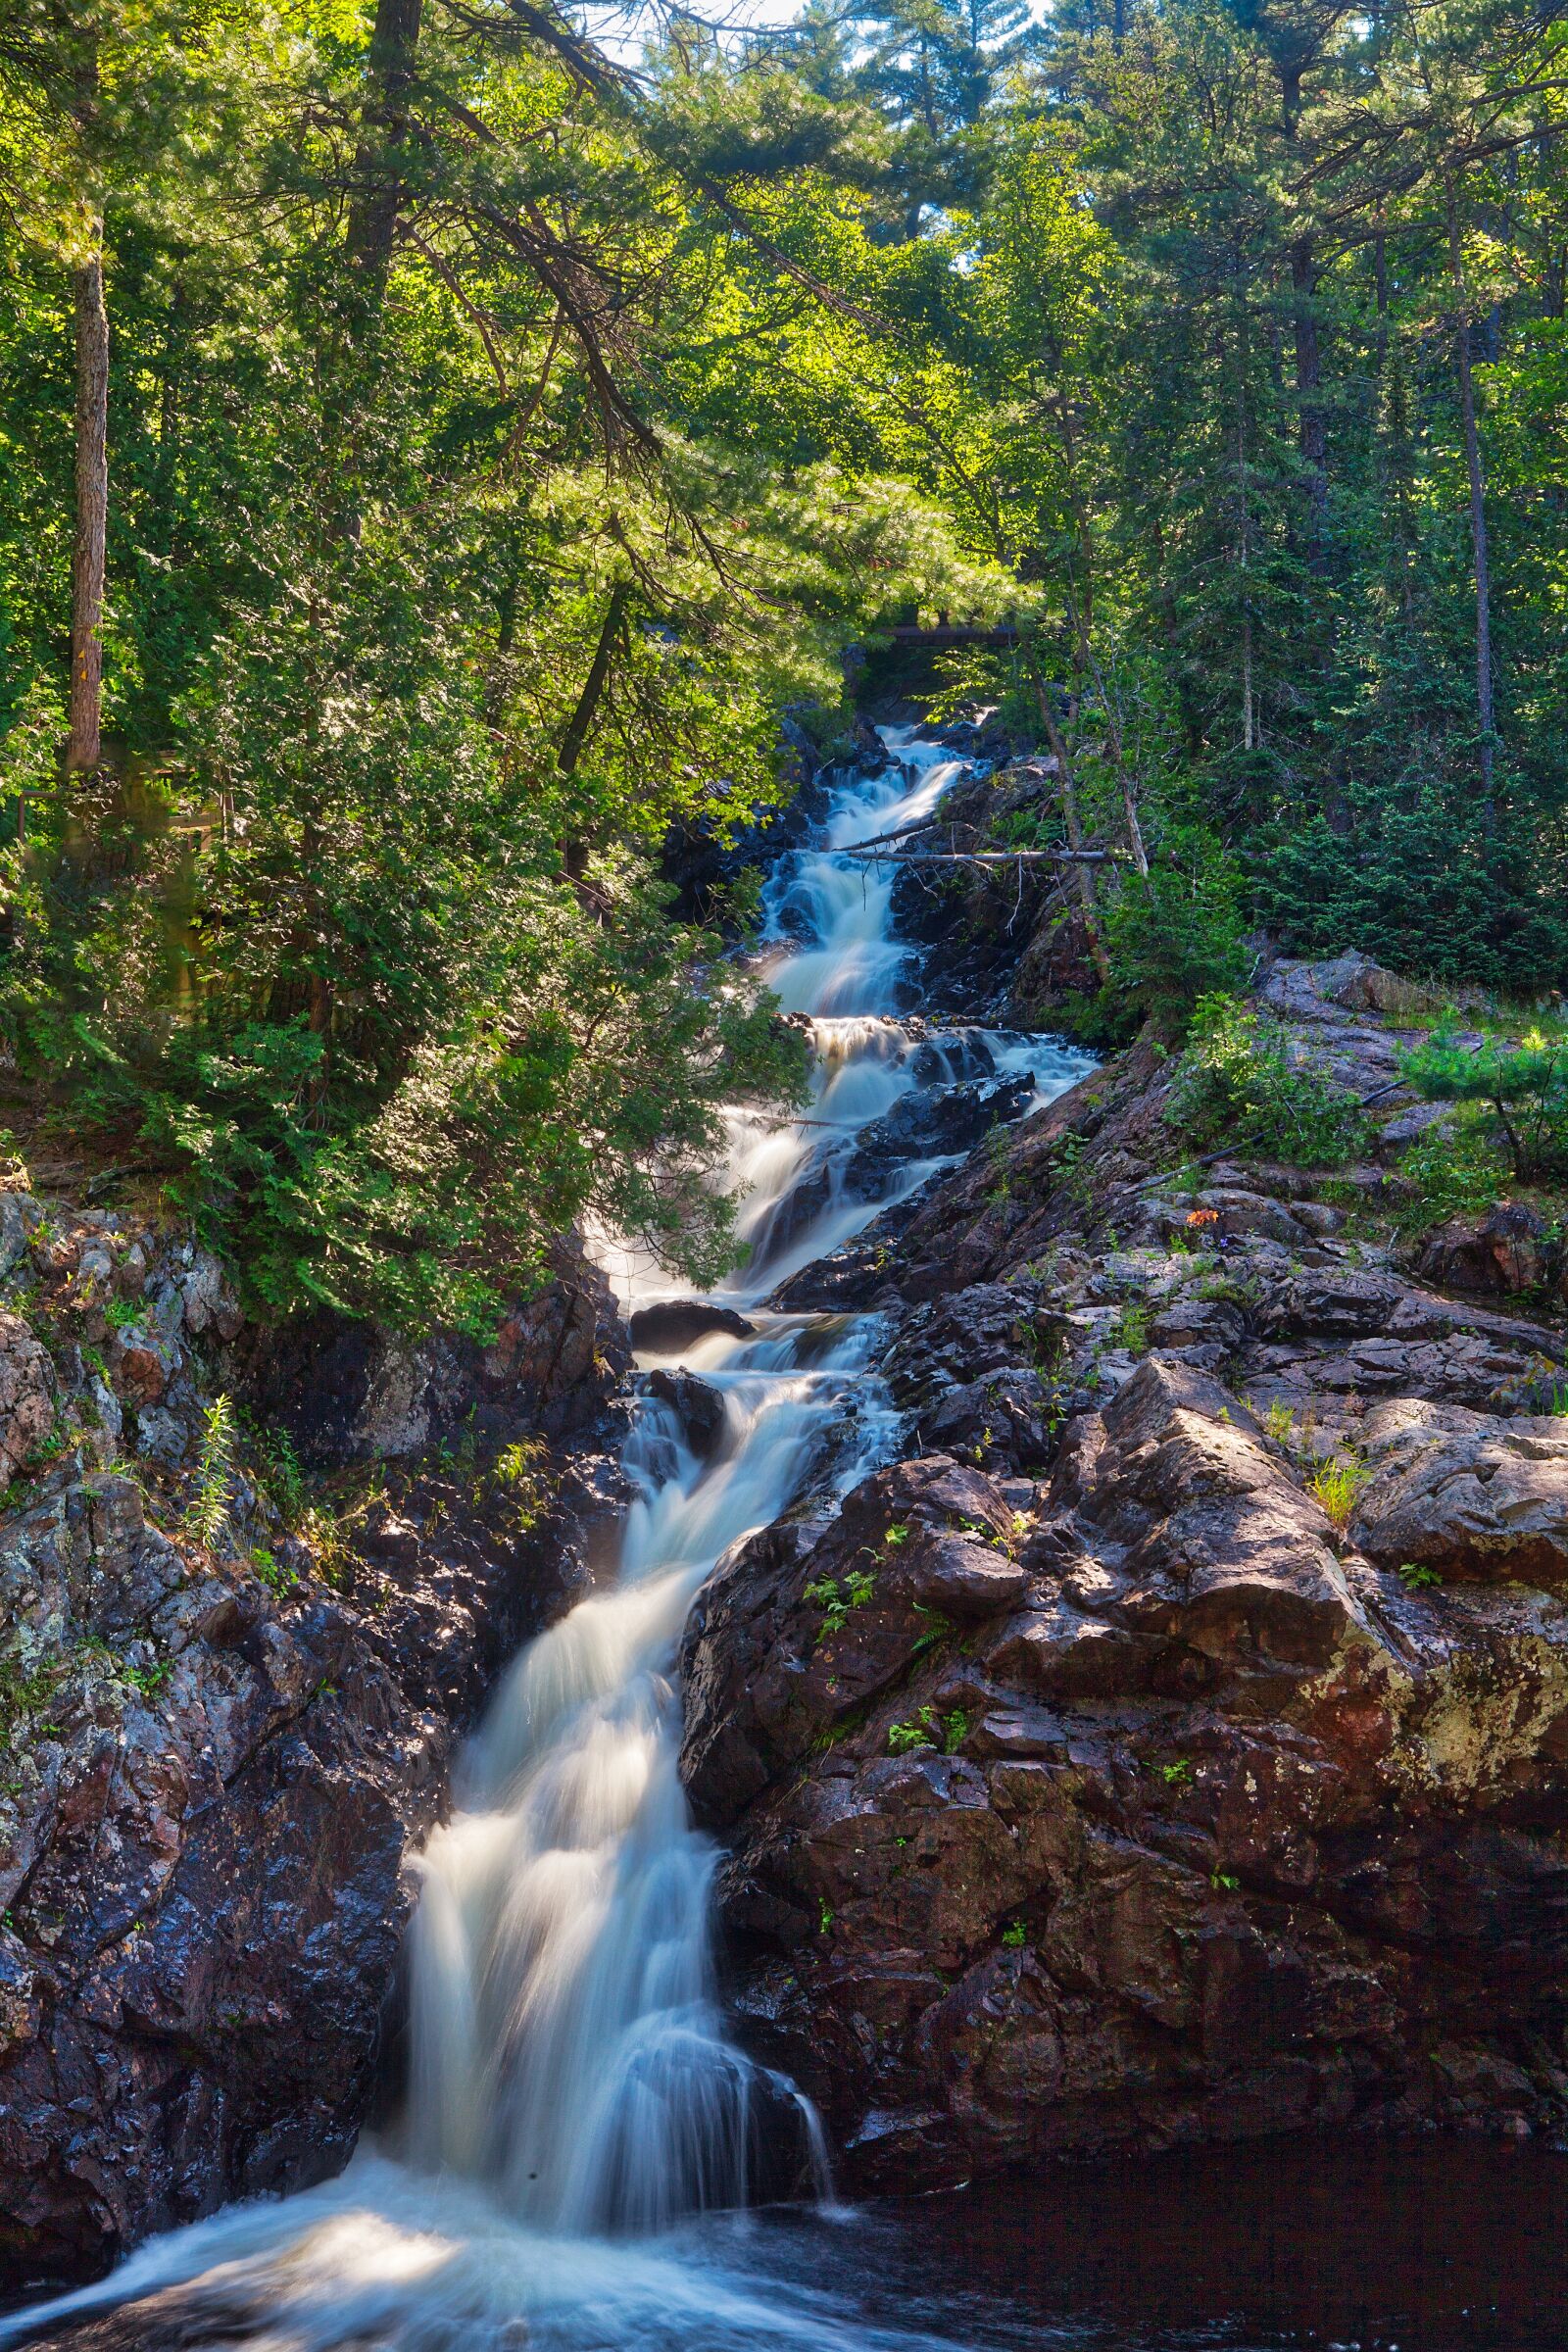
(570, 2066)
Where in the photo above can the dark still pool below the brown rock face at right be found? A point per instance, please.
(1341, 2247)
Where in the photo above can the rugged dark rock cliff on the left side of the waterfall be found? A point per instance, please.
(227, 1716)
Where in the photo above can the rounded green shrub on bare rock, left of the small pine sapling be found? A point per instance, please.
(1238, 1085)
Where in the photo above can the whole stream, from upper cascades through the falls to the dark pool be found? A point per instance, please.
(582, 2137)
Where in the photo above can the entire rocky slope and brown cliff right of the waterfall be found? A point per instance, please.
(1177, 1742)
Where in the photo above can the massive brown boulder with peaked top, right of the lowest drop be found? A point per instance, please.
(1181, 1817)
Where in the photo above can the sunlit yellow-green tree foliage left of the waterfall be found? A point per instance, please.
(436, 603)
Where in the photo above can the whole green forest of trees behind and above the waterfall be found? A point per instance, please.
(441, 443)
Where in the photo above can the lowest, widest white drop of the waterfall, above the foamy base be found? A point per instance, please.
(568, 2045)
